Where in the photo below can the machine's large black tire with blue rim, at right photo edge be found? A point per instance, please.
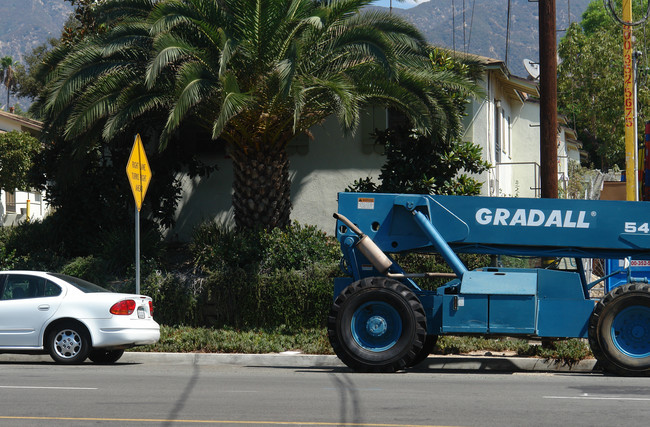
(619, 330)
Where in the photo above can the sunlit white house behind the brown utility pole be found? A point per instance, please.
(506, 125)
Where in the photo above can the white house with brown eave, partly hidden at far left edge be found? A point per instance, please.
(13, 204)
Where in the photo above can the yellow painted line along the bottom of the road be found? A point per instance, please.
(281, 423)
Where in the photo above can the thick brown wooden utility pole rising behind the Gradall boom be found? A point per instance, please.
(548, 98)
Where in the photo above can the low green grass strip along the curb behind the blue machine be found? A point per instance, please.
(314, 341)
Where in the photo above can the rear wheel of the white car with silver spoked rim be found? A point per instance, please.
(68, 343)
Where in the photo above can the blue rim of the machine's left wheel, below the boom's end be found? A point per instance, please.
(376, 326)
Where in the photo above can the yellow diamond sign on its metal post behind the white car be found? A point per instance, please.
(139, 174)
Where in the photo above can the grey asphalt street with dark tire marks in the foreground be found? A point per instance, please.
(40, 393)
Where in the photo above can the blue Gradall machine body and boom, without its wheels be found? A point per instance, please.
(532, 302)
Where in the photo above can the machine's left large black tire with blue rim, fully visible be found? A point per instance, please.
(377, 325)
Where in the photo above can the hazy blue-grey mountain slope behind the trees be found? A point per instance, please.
(473, 26)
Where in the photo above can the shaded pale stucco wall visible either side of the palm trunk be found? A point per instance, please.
(319, 169)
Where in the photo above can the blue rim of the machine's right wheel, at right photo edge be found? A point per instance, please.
(631, 331)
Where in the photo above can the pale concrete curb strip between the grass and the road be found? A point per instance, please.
(298, 360)
